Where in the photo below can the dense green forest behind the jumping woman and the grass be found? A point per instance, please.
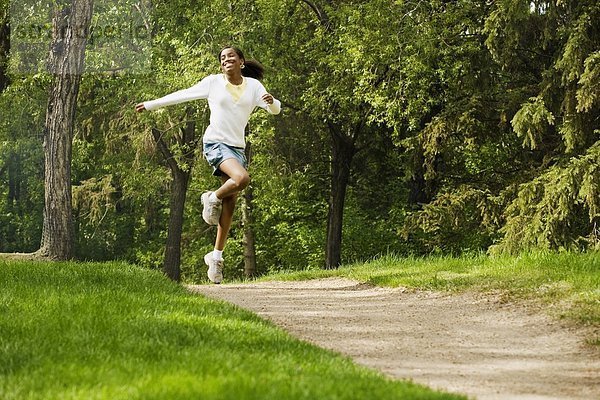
(409, 127)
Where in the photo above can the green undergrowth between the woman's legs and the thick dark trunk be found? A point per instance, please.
(291, 205)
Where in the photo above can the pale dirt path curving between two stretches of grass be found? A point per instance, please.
(470, 344)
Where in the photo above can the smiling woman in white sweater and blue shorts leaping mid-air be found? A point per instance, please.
(232, 96)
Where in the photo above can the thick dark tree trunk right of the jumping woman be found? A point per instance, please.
(343, 151)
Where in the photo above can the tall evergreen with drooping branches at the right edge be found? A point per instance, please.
(554, 47)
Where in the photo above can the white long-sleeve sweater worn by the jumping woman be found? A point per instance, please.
(228, 117)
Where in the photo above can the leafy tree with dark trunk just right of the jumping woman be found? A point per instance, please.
(326, 72)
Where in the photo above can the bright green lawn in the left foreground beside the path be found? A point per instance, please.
(114, 331)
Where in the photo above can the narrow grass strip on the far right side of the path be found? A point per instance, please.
(567, 284)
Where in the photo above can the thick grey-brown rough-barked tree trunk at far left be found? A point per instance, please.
(67, 52)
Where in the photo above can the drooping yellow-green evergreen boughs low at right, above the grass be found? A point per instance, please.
(560, 209)
